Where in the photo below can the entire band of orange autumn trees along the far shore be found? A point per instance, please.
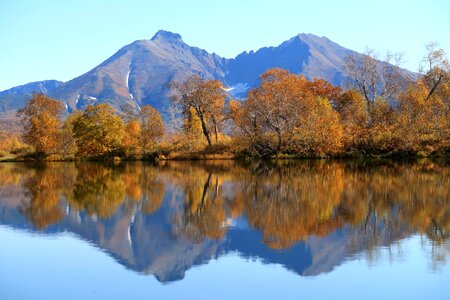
(384, 112)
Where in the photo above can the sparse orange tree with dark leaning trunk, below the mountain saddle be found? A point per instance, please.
(207, 98)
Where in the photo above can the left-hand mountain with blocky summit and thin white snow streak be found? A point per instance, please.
(138, 73)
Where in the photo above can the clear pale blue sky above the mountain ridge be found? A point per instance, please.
(55, 39)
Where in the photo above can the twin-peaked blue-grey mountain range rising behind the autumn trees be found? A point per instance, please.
(138, 73)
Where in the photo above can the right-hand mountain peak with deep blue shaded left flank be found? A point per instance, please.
(306, 54)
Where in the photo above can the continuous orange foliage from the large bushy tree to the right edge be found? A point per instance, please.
(288, 114)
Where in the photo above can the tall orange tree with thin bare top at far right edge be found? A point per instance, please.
(424, 110)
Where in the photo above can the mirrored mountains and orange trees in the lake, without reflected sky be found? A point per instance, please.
(308, 216)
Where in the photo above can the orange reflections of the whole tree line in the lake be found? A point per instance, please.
(287, 202)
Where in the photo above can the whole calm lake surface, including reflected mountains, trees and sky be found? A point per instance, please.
(225, 230)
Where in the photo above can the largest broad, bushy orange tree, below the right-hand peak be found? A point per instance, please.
(279, 115)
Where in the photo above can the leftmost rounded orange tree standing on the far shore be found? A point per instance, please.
(41, 120)
